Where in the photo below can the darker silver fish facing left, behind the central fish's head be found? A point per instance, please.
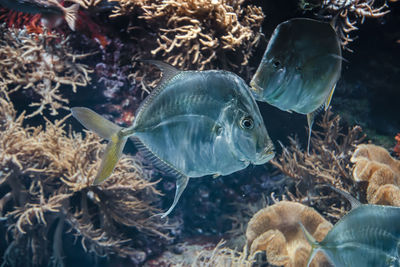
(300, 68)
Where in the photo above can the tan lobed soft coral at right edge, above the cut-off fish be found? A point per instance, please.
(375, 165)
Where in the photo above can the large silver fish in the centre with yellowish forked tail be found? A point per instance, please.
(195, 123)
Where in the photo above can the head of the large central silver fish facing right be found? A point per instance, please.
(247, 131)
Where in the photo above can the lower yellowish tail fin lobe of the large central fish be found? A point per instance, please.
(110, 158)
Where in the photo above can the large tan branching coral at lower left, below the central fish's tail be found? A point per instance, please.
(45, 182)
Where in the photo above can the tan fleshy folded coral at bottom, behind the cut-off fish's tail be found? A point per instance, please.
(276, 230)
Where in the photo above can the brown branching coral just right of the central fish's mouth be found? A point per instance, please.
(327, 164)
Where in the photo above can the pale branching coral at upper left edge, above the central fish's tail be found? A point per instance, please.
(42, 63)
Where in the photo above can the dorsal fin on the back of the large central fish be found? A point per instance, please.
(168, 72)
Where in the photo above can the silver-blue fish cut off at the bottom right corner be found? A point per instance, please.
(368, 235)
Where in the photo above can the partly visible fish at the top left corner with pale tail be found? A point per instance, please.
(51, 10)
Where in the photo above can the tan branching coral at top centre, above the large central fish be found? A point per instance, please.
(200, 34)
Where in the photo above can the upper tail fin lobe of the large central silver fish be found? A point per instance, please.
(95, 122)
